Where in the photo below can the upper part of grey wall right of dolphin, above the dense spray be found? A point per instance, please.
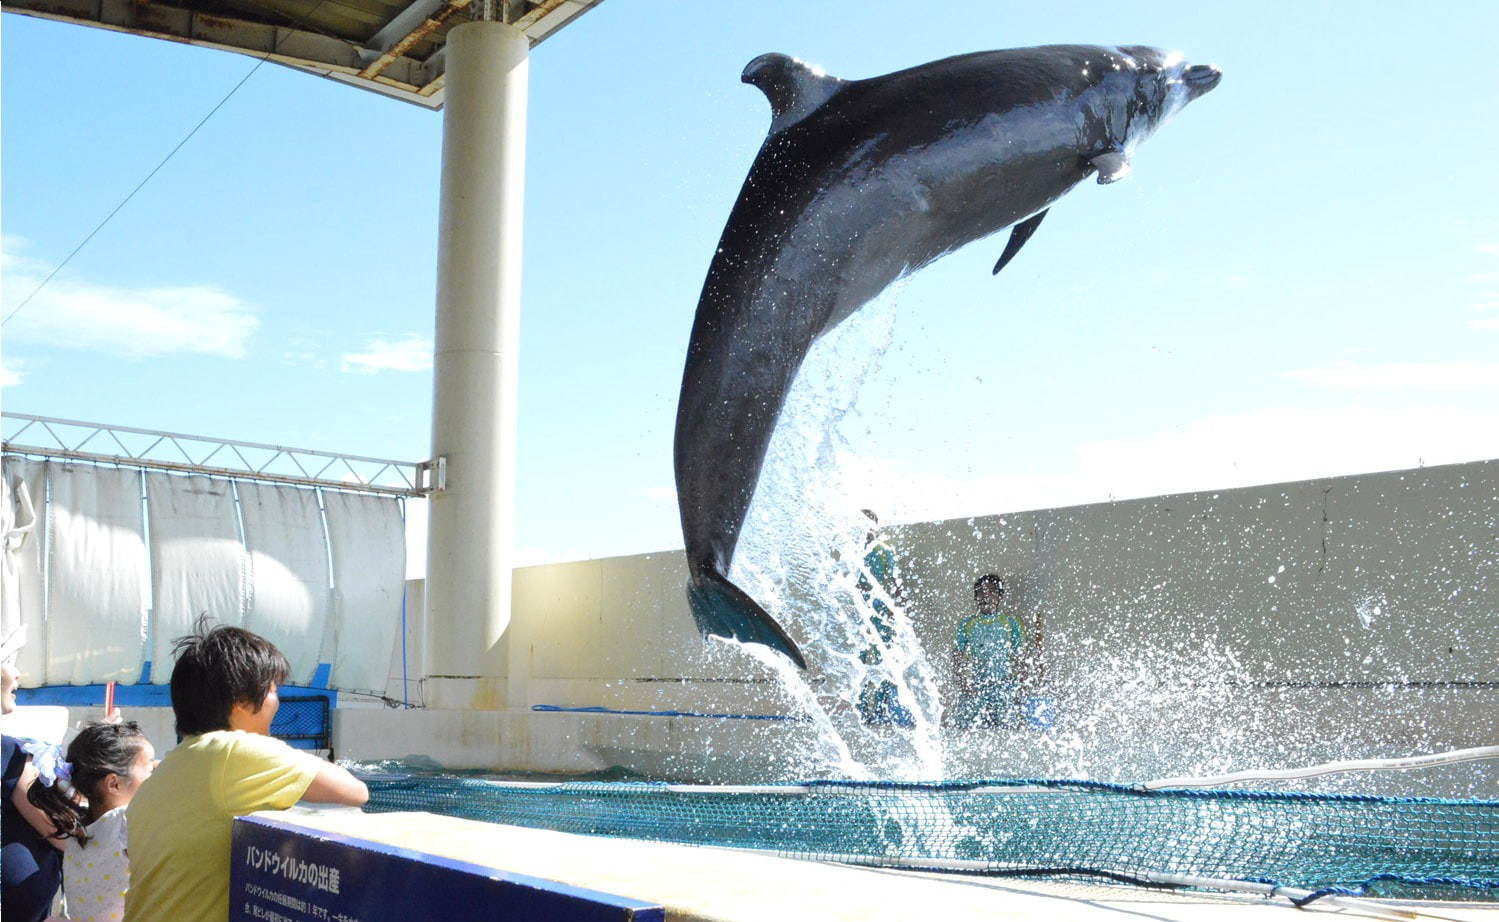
(1383, 578)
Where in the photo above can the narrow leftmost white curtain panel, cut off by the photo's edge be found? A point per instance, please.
(23, 590)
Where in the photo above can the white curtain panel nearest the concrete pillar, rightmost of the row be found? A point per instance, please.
(370, 566)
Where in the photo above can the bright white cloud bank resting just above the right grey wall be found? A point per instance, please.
(1215, 454)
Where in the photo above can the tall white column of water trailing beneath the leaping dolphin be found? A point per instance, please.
(803, 557)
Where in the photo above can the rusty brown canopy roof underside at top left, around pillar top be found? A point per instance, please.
(378, 70)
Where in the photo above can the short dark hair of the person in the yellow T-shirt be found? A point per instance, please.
(217, 669)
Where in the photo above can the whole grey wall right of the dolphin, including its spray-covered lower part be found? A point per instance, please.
(1285, 624)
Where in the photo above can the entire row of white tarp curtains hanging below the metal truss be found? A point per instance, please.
(104, 585)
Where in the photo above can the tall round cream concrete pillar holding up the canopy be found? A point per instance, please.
(471, 525)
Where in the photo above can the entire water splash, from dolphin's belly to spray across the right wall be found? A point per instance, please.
(1131, 705)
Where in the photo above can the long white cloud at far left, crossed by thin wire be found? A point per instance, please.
(136, 323)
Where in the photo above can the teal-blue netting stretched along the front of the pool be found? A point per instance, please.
(1398, 848)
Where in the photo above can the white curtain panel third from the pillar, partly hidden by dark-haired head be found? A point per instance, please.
(197, 560)
